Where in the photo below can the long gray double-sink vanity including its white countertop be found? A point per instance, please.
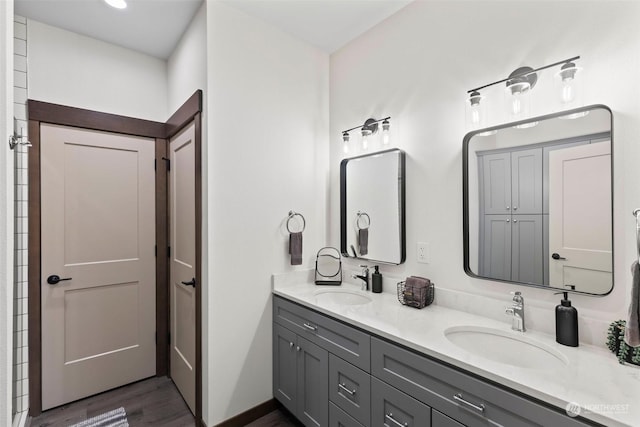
(360, 359)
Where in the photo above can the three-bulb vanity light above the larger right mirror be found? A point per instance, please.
(519, 85)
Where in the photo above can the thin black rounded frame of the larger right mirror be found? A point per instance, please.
(465, 196)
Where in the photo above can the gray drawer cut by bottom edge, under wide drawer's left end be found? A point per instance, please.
(393, 408)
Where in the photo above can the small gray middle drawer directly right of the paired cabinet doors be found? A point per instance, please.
(350, 389)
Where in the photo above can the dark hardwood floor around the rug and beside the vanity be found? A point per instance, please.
(151, 402)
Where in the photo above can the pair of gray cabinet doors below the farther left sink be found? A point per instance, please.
(300, 377)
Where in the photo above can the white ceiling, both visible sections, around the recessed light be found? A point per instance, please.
(154, 27)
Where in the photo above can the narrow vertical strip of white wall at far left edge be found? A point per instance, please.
(6, 210)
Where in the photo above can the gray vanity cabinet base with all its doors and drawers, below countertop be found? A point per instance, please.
(403, 388)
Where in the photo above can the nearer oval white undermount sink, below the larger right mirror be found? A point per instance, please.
(506, 347)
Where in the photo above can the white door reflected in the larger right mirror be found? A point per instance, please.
(579, 200)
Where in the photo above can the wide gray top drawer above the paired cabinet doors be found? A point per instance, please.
(348, 343)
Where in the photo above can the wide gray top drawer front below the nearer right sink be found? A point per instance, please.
(463, 397)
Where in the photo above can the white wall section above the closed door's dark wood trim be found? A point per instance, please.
(70, 69)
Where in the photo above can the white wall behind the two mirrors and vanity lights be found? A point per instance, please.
(417, 66)
